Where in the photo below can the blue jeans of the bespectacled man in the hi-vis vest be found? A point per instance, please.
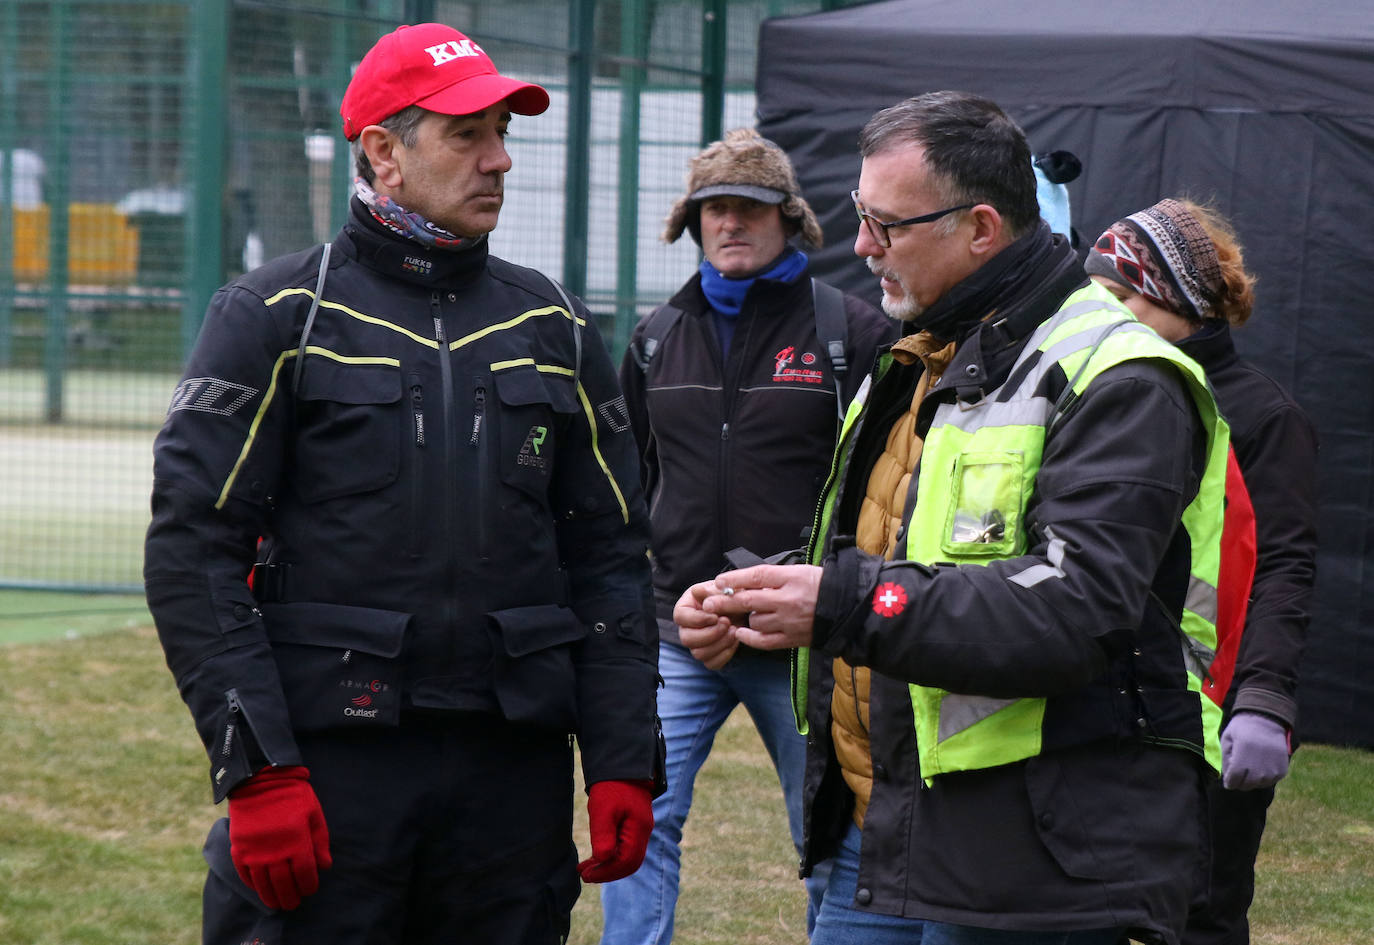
(840, 924)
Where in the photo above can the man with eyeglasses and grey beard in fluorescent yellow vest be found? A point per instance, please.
(1012, 586)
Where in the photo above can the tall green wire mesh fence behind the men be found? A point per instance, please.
(150, 152)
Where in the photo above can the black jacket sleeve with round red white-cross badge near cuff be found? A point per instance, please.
(1116, 476)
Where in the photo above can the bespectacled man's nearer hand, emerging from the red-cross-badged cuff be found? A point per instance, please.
(780, 602)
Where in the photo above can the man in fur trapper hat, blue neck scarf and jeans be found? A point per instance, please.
(734, 389)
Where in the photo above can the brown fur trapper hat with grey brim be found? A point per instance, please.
(743, 164)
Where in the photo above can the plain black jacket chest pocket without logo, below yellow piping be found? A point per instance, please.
(351, 422)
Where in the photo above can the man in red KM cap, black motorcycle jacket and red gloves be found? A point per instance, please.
(453, 579)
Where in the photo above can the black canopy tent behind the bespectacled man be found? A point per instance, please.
(1262, 108)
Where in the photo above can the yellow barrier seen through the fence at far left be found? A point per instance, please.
(102, 247)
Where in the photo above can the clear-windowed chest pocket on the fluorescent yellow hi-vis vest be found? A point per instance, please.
(984, 517)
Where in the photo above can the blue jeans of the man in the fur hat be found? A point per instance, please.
(695, 704)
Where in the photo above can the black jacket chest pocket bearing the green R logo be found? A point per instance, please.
(535, 410)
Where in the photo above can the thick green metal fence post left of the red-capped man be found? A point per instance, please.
(205, 141)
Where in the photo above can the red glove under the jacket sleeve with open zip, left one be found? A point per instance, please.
(278, 839)
